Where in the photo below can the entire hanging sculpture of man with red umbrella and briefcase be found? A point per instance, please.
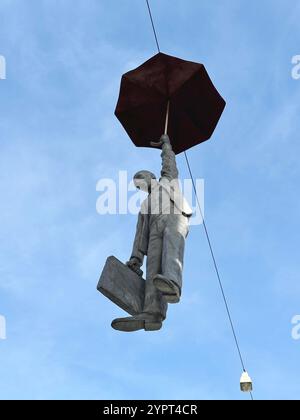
(174, 96)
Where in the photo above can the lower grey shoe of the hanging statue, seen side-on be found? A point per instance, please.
(145, 322)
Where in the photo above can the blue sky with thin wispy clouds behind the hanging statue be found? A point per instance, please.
(58, 137)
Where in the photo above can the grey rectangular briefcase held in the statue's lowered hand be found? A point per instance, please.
(122, 286)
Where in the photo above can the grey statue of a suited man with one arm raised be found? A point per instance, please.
(162, 228)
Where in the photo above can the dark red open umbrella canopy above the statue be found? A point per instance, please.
(195, 106)
